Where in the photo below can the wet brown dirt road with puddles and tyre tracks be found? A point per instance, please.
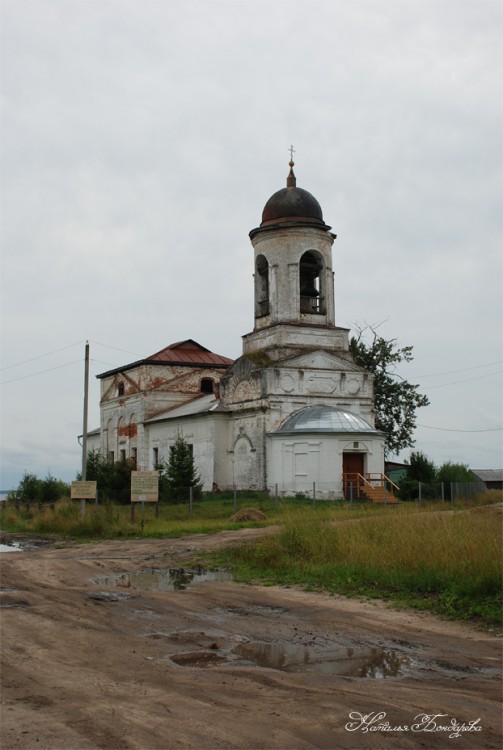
(87, 663)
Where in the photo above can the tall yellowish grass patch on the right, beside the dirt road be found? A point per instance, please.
(447, 562)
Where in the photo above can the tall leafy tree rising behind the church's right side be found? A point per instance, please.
(395, 399)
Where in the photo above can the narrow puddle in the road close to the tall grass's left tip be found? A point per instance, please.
(167, 579)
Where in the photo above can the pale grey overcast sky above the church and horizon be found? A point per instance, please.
(140, 141)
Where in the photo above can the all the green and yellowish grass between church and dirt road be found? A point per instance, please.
(443, 557)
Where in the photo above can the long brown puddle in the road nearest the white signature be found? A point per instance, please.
(373, 663)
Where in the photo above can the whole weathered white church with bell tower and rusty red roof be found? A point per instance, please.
(293, 410)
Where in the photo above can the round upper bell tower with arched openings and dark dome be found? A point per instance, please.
(294, 284)
